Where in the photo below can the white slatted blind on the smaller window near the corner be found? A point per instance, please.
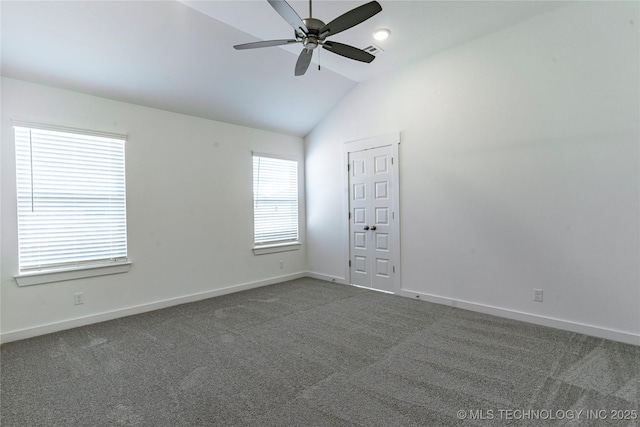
(275, 200)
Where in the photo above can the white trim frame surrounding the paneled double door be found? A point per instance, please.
(393, 140)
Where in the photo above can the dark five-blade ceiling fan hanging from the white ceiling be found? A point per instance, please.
(313, 32)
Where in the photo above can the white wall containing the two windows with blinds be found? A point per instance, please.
(189, 196)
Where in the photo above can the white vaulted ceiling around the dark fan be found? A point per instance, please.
(179, 56)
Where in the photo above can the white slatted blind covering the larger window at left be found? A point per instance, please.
(71, 199)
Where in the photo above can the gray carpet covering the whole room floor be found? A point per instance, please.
(312, 353)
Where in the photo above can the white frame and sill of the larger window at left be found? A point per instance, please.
(83, 269)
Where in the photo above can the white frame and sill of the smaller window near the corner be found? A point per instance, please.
(276, 245)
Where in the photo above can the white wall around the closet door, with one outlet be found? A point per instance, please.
(519, 169)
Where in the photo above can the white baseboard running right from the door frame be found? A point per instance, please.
(566, 325)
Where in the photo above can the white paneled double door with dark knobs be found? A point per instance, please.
(371, 212)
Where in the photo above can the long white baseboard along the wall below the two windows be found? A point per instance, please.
(138, 309)
